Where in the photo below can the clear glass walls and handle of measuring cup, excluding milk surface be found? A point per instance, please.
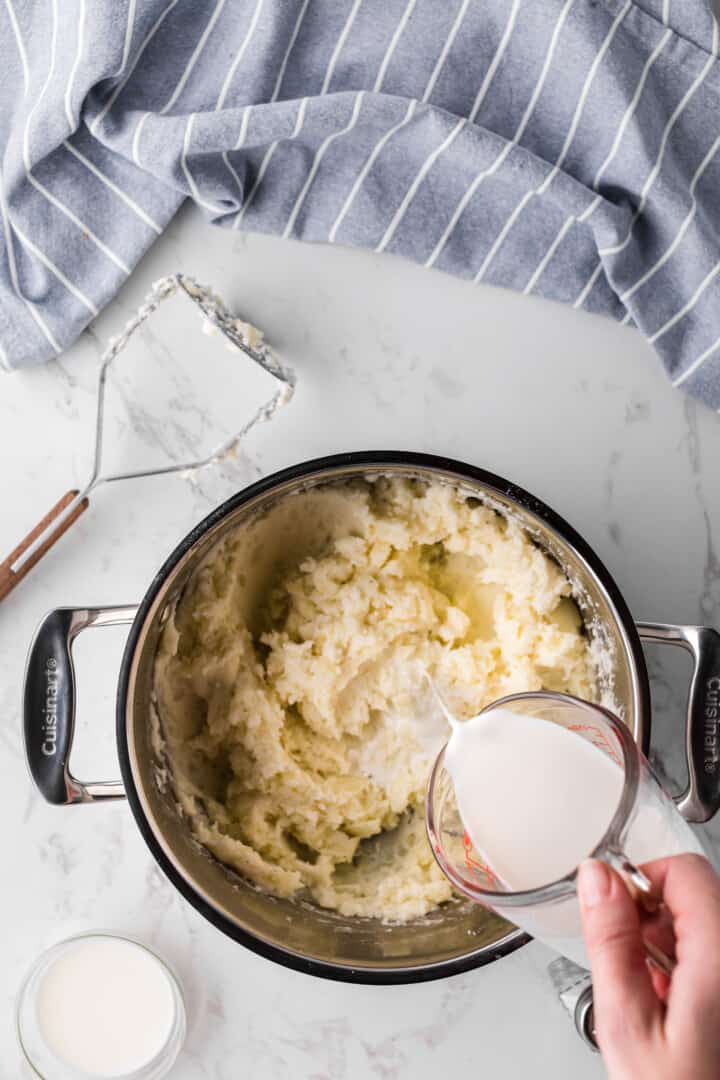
(645, 826)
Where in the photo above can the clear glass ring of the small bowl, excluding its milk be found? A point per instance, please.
(44, 1061)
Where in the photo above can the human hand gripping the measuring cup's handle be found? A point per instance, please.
(649, 1025)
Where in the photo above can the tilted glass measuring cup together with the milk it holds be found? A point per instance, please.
(531, 788)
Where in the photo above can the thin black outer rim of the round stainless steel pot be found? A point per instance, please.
(316, 468)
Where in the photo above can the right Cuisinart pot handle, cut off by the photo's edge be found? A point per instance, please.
(702, 799)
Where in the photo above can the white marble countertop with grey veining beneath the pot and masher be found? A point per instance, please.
(389, 356)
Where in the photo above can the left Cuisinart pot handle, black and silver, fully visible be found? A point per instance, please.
(49, 705)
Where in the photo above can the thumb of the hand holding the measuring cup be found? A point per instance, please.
(627, 1007)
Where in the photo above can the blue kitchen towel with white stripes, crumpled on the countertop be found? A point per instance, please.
(569, 148)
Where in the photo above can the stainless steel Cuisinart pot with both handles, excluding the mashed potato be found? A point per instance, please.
(298, 935)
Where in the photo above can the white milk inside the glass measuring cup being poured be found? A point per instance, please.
(536, 800)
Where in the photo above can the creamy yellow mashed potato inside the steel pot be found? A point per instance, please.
(290, 682)
